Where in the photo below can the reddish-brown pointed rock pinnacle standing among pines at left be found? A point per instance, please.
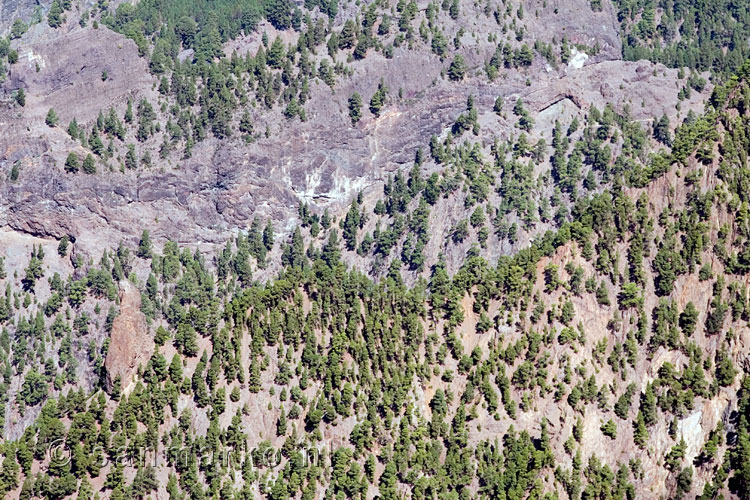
(130, 345)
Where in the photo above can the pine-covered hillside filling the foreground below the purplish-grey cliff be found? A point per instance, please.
(606, 360)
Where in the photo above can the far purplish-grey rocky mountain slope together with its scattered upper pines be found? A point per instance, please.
(182, 109)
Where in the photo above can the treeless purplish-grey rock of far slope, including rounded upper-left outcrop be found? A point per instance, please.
(324, 161)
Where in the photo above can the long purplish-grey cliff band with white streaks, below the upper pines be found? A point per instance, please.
(323, 161)
